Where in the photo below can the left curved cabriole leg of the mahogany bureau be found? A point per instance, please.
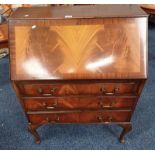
(32, 129)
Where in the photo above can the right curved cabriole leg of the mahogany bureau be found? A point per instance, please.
(126, 128)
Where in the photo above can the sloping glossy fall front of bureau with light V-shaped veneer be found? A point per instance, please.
(77, 51)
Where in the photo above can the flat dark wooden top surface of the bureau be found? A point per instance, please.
(86, 11)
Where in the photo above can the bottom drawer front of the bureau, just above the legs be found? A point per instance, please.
(83, 117)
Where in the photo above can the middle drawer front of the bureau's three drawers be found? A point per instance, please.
(78, 103)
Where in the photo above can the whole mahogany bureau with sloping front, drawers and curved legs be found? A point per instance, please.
(78, 64)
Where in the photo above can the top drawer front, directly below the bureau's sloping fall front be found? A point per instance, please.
(79, 89)
